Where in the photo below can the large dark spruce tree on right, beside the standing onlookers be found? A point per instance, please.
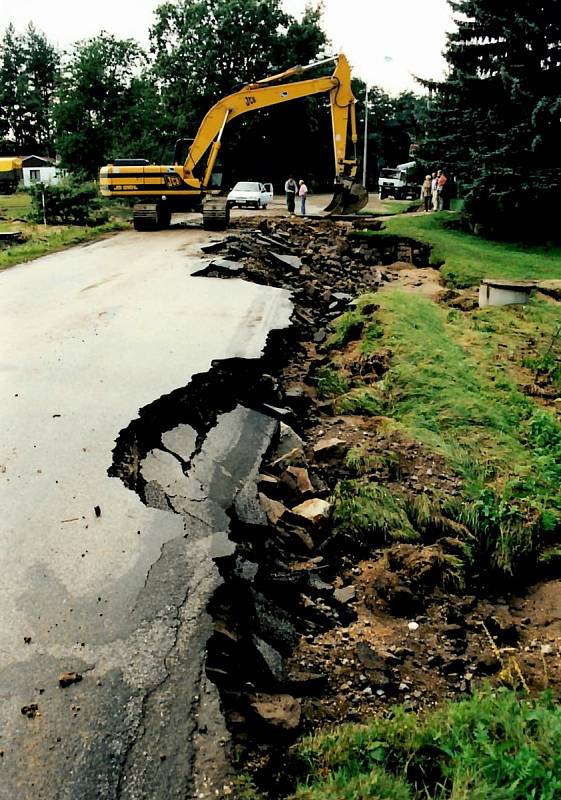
(496, 119)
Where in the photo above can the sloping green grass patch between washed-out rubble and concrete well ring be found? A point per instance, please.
(453, 386)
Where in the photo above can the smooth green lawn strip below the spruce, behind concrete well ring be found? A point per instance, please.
(467, 258)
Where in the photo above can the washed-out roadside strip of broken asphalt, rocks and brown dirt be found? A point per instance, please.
(316, 623)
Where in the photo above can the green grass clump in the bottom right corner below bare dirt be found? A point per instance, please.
(491, 746)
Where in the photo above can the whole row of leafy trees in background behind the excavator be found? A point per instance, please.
(106, 97)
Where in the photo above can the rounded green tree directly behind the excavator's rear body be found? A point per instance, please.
(106, 106)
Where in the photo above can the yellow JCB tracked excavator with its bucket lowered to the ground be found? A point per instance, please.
(189, 185)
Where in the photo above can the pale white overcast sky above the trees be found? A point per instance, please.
(385, 40)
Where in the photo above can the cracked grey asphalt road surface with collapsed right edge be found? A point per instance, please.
(90, 336)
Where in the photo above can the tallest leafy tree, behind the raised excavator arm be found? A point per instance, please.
(205, 49)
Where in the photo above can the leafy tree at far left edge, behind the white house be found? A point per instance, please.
(28, 69)
